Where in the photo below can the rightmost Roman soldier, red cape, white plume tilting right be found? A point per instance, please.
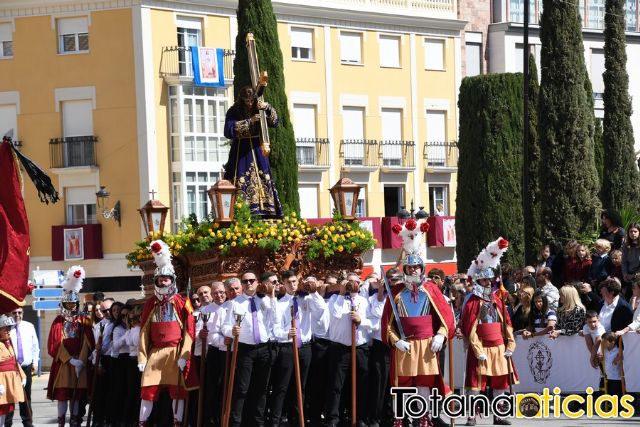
(488, 331)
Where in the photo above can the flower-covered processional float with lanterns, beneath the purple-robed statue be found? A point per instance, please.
(230, 240)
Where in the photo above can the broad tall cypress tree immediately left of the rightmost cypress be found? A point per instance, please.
(566, 126)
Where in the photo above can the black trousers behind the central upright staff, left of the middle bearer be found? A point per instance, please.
(283, 385)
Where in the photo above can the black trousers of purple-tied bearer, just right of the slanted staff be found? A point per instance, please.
(251, 380)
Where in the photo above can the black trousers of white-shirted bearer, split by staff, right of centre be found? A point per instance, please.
(340, 363)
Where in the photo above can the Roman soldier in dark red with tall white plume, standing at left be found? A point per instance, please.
(70, 344)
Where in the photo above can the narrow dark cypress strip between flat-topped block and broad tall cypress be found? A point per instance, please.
(532, 222)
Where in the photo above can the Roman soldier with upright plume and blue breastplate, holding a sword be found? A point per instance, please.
(426, 321)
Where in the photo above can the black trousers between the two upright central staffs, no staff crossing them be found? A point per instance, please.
(318, 380)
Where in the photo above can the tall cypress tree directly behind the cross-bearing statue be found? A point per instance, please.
(257, 17)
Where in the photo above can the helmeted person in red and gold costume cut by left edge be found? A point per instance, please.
(12, 378)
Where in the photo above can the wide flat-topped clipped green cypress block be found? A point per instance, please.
(488, 200)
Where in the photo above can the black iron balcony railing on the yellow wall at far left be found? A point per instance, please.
(73, 151)
